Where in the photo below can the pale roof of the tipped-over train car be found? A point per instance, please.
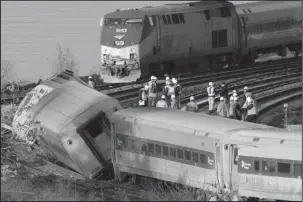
(62, 105)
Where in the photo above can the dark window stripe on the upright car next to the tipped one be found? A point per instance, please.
(166, 151)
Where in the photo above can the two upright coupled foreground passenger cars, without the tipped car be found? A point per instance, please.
(208, 152)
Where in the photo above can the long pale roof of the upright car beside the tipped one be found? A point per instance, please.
(196, 121)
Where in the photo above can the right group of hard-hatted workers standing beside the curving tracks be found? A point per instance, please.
(242, 107)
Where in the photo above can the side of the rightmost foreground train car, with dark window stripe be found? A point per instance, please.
(263, 176)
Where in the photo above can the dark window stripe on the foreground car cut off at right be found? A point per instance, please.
(275, 167)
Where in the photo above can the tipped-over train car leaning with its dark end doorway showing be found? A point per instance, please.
(75, 123)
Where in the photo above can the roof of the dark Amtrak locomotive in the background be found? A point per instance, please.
(167, 8)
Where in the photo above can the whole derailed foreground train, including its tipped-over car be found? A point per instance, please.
(91, 134)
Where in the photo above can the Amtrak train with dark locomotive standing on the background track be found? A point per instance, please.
(186, 37)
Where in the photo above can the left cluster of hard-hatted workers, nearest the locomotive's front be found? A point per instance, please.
(170, 97)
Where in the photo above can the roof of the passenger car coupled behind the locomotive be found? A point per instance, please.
(265, 10)
